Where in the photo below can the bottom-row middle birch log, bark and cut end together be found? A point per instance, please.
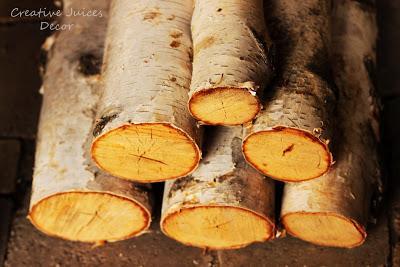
(225, 203)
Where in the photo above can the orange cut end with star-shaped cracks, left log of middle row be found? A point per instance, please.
(148, 152)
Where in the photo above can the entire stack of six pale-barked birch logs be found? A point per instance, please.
(114, 122)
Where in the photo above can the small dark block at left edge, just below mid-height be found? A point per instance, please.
(9, 158)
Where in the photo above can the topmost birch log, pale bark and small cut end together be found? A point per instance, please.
(230, 64)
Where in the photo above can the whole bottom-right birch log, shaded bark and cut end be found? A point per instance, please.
(333, 209)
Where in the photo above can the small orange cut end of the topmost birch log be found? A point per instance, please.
(224, 106)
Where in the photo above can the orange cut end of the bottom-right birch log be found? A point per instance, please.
(324, 229)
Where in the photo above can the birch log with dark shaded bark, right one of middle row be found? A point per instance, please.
(289, 139)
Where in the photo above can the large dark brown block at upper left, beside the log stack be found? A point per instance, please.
(19, 80)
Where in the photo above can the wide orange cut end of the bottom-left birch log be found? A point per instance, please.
(90, 217)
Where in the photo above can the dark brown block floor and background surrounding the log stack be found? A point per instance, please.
(22, 245)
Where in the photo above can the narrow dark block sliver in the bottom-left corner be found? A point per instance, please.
(5, 220)
